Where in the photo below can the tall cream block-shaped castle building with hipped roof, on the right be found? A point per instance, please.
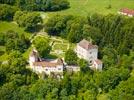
(89, 52)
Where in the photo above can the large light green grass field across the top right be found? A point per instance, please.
(83, 7)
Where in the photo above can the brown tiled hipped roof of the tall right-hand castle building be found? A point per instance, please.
(87, 45)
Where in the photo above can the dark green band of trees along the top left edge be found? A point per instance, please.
(38, 5)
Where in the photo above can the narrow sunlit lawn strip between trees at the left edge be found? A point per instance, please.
(6, 26)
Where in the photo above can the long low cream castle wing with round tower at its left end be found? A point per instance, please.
(47, 66)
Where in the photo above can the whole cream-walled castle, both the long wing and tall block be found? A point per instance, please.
(84, 49)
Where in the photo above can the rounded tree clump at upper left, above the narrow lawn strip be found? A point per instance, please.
(29, 20)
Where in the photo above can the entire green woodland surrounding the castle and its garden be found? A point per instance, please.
(114, 34)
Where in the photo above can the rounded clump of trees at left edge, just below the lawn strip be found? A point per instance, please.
(12, 41)
